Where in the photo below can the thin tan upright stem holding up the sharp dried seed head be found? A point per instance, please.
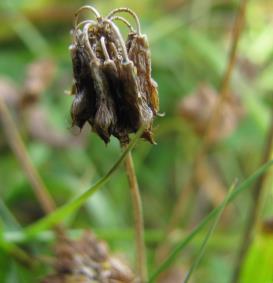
(138, 218)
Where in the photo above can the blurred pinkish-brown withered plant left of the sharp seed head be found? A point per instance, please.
(27, 107)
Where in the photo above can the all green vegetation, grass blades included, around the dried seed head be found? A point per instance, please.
(213, 63)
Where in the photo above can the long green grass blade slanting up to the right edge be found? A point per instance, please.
(180, 246)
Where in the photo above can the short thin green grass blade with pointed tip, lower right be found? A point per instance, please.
(209, 234)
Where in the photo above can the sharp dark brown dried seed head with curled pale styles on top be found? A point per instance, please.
(113, 88)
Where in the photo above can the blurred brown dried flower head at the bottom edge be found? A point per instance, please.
(87, 260)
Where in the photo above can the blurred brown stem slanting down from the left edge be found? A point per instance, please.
(18, 147)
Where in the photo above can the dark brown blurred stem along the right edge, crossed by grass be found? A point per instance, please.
(254, 210)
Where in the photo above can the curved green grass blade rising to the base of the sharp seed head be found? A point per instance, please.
(65, 210)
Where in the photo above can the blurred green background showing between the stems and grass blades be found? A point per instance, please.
(190, 42)
